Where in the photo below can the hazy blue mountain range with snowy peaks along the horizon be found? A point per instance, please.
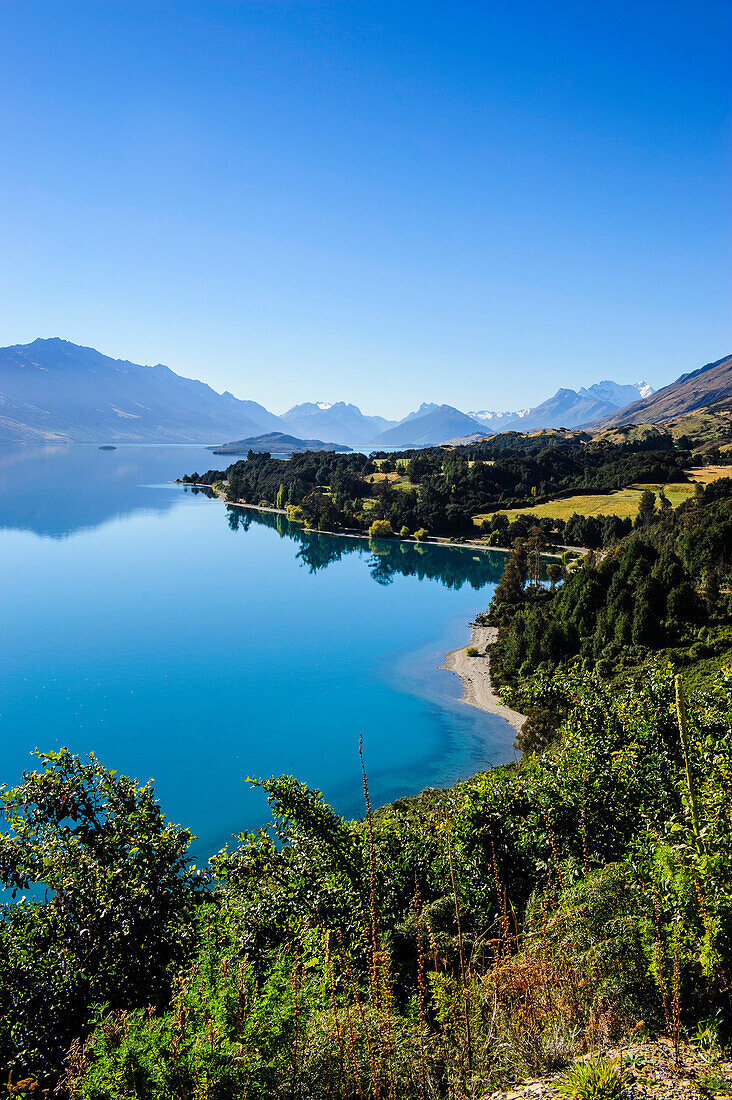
(60, 392)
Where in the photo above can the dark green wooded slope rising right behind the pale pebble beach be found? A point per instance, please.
(663, 590)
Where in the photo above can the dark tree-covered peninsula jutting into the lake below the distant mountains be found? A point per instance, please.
(442, 490)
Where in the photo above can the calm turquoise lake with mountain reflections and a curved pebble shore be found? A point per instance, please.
(198, 645)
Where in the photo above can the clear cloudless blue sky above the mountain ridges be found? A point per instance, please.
(385, 203)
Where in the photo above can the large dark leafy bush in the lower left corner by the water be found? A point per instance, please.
(111, 914)
